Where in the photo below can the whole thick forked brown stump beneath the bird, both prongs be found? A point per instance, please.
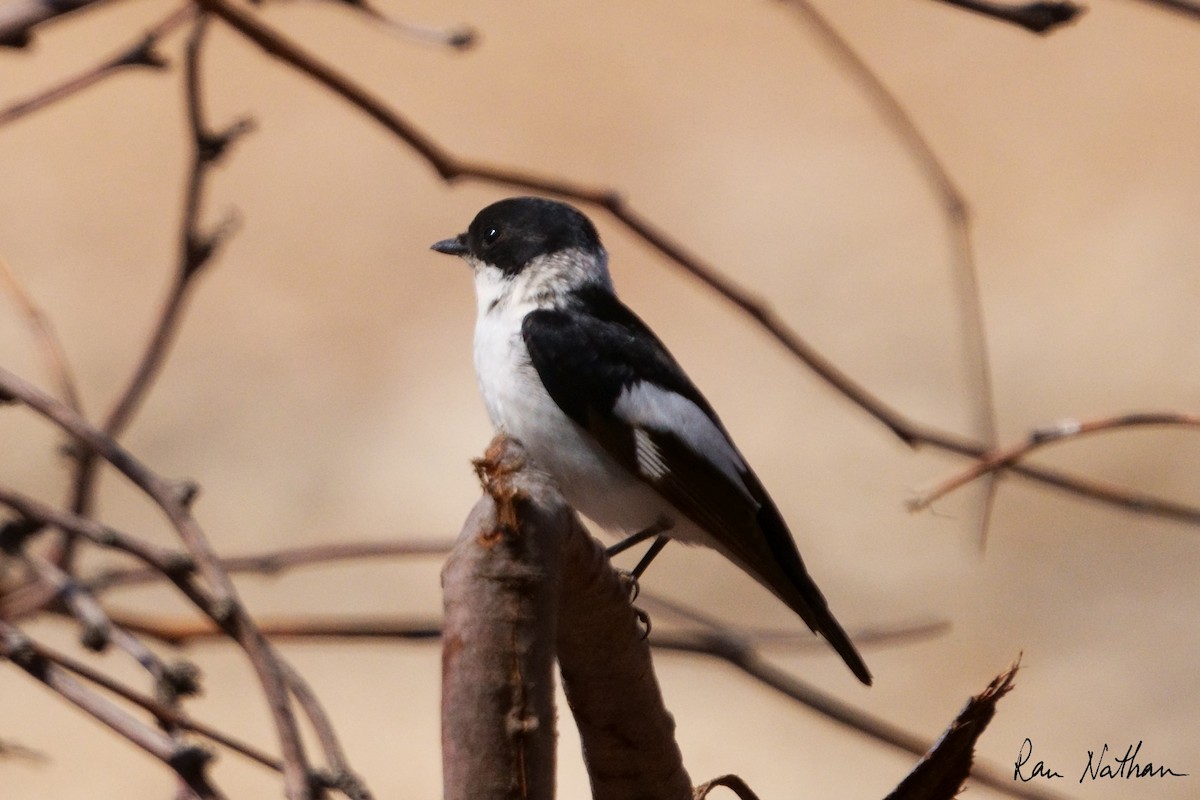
(524, 578)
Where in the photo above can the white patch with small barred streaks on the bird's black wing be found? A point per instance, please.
(646, 406)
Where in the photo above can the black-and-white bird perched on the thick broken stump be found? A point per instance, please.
(601, 405)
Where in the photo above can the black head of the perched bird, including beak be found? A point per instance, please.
(511, 233)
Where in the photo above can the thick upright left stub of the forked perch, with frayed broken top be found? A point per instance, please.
(501, 592)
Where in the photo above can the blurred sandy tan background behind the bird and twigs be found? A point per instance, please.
(322, 390)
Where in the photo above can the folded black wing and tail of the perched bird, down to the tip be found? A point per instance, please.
(586, 359)
